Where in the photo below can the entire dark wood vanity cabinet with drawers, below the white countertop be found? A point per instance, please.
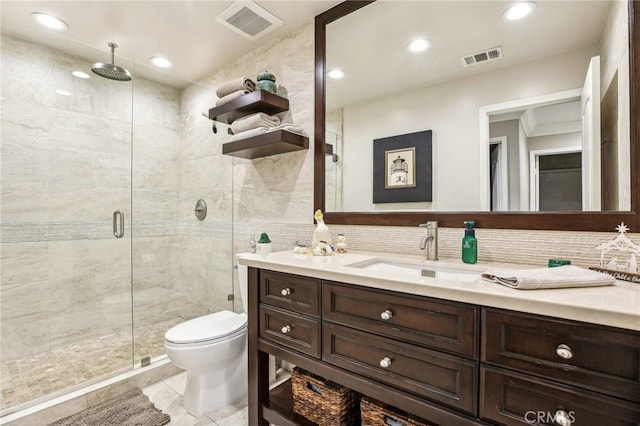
(450, 363)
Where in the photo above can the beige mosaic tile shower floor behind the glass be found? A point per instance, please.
(45, 373)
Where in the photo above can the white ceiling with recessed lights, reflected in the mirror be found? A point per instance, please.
(369, 45)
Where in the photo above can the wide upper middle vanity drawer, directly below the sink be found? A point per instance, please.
(434, 323)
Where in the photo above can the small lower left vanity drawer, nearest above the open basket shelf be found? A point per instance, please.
(291, 330)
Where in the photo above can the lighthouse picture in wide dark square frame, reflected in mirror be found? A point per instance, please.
(402, 168)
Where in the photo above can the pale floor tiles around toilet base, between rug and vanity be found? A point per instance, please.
(167, 396)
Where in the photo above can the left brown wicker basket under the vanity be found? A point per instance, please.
(322, 401)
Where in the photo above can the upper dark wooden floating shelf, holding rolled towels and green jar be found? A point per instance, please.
(258, 101)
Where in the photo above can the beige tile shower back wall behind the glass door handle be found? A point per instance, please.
(66, 166)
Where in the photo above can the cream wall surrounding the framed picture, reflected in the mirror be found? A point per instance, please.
(451, 111)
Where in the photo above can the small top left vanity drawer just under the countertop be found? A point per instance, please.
(293, 292)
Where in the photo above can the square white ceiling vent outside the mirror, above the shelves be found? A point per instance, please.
(248, 19)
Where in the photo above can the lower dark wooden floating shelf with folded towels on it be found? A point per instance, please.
(270, 143)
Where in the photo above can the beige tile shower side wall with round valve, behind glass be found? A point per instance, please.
(205, 269)
